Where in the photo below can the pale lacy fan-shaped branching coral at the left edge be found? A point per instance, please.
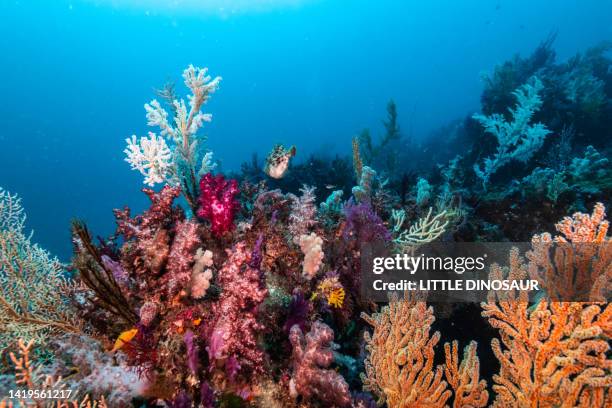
(33, 286)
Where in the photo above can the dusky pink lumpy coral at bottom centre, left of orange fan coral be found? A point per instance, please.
(312, 355)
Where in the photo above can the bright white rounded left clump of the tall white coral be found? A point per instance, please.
(151, 157)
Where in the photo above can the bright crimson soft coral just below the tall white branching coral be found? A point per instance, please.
(218, 202)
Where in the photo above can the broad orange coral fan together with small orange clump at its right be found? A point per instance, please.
(399, 367)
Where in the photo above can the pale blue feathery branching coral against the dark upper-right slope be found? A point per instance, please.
(517, 140)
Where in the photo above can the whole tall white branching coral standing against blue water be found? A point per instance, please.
(176, 162)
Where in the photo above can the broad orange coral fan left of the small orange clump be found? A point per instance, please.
(399, 367)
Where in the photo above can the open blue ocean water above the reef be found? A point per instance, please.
(75, 75)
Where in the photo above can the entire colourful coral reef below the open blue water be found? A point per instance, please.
(252, 295)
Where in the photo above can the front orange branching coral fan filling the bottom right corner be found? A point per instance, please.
(551, 354)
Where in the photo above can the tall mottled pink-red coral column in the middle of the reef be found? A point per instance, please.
(234, 328)
